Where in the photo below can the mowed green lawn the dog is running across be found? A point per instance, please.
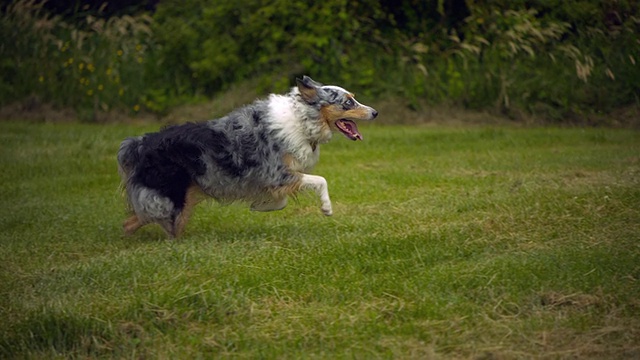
(446, 242)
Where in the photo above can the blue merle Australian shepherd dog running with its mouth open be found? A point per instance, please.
(260, 153)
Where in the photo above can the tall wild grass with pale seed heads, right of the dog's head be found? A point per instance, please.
(521, 59)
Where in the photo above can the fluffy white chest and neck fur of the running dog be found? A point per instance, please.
(298, 132)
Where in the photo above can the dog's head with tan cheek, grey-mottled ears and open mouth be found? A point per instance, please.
(338, 107)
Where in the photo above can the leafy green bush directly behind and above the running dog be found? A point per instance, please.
(211, 44)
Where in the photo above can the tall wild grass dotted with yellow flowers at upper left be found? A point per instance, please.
(92, 65)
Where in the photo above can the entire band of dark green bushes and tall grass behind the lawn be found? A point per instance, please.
(548, 57)
